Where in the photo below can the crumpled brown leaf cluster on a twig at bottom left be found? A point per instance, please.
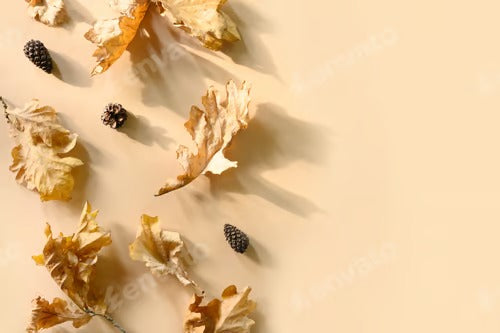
(71, 261)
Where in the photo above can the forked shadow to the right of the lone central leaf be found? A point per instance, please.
(272, 141)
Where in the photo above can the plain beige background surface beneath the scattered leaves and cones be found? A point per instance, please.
(368, 177)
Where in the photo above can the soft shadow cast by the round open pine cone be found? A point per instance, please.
(140, 129)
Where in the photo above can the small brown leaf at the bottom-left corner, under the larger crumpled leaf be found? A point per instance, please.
(45, 315)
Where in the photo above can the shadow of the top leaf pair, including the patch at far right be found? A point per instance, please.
(164, 66)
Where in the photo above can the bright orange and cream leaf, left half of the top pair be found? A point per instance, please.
(113, 36)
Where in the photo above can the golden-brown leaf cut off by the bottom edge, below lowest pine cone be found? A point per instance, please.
(221, 316)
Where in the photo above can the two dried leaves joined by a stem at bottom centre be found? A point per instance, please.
(163, 252)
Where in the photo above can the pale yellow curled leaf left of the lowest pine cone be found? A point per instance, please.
(162, 251)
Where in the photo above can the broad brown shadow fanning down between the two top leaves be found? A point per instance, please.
(163, 66)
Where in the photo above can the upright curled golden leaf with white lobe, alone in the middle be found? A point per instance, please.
(212, 130)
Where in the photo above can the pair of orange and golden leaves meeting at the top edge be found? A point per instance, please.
(201, 19)
